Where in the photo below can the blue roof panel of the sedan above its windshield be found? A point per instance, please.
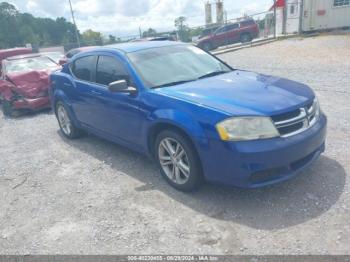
(138, 46)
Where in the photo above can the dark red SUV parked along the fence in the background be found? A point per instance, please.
(244, 31)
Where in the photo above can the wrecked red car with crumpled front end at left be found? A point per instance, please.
(24, 82)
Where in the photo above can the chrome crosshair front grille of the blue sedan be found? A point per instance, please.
(296, 121)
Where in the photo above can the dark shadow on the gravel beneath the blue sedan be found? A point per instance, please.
(293, 202)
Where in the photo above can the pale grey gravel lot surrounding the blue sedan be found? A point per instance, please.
(89, 196)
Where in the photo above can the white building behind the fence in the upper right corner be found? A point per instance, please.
(308, 15)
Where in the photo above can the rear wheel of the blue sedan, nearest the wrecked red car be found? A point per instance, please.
(67, 127)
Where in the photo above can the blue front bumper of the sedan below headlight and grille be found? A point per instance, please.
(252, 164)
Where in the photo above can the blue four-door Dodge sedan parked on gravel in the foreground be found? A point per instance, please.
(200, 119)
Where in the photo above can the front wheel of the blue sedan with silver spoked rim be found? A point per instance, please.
(178, 161)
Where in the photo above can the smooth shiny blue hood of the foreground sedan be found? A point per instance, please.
(243, 93)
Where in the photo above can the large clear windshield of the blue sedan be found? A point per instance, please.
(173, 65)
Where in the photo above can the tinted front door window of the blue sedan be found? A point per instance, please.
(109, 70)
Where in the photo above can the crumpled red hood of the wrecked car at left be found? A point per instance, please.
(30, 84)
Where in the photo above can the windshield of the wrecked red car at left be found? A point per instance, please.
(29, 64)
